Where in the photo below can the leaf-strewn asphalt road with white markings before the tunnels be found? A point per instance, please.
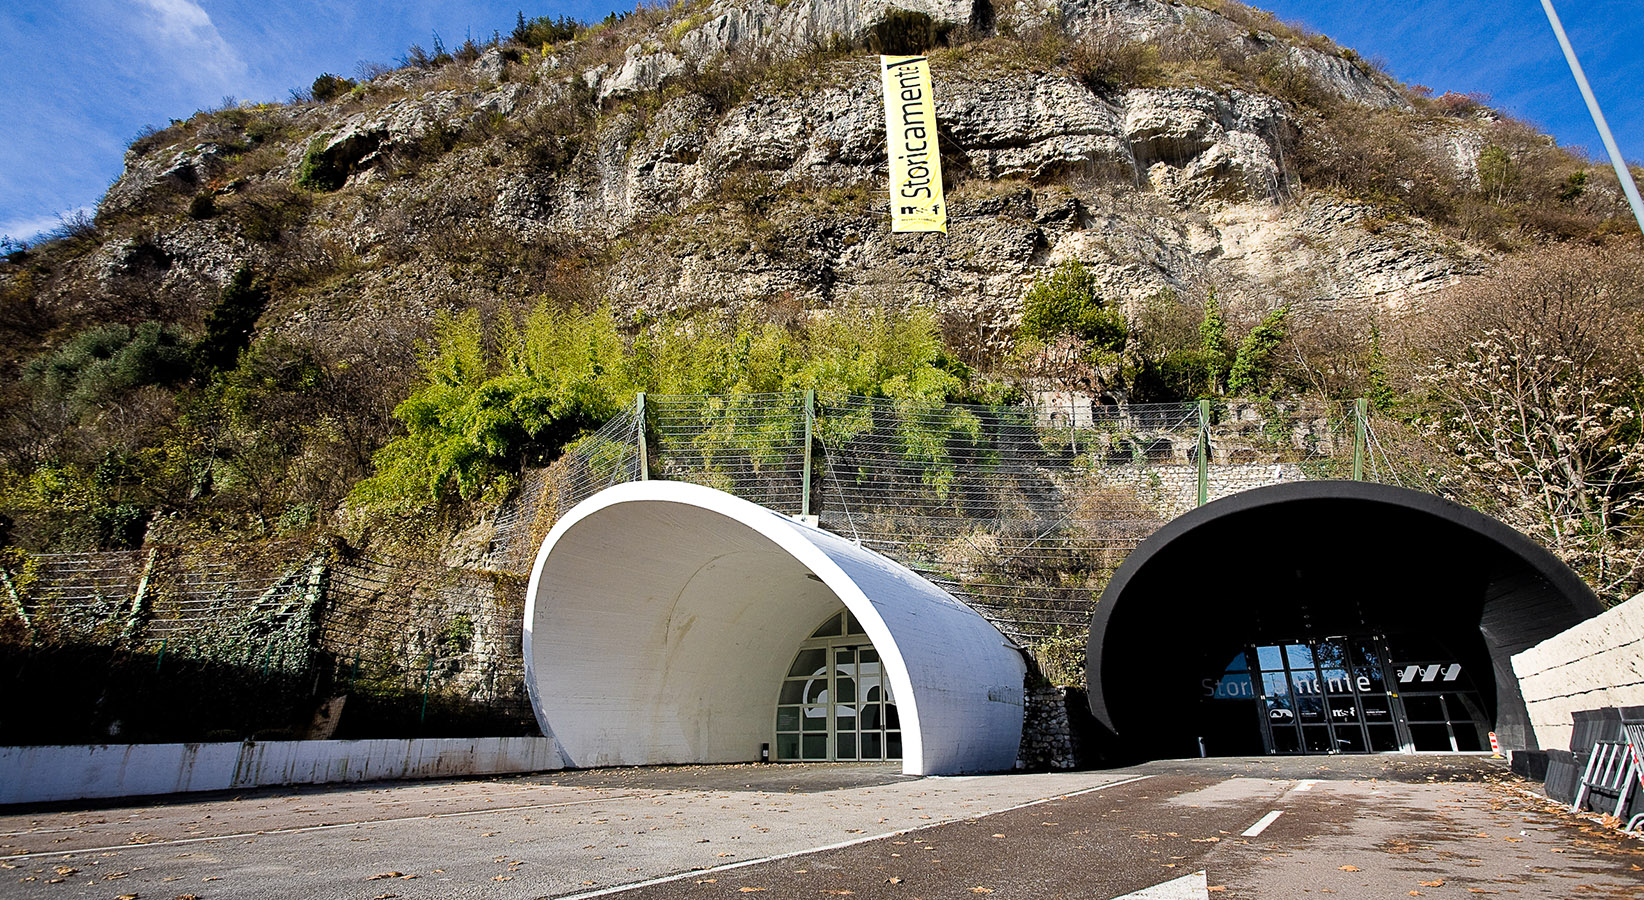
(1369, 827)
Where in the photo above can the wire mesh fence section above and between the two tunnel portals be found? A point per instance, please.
(1022, 511)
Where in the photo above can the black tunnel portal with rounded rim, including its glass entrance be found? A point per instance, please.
(1324, 618)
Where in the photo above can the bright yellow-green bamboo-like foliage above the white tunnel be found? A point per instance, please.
(483, 412)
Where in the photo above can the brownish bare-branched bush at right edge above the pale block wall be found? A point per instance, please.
(1533, 383)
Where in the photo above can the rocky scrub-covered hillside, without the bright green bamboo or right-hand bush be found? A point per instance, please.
(711, 155)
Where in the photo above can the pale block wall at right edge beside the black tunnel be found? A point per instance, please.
(1596, 666)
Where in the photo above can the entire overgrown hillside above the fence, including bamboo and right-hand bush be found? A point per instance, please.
(405, 287)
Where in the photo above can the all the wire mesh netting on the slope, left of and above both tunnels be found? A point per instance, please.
(1023, 513)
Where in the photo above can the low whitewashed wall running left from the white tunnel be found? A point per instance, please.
(80, 772)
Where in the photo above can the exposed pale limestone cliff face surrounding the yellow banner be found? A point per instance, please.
(701, 200)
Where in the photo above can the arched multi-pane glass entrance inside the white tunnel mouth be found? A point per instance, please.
(836, 702)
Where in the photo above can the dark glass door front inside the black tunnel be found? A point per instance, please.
(1342, 695)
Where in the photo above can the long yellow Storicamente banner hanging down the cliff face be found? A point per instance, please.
(910, 132)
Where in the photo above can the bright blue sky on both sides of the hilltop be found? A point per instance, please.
(80, 78)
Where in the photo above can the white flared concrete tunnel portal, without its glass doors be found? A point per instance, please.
(663, 616)
